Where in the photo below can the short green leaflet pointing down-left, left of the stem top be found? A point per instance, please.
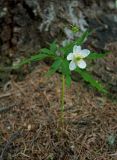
(54, 67)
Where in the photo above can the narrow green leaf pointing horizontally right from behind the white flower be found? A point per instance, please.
(94, 55)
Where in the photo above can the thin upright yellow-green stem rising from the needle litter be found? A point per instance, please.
(62, 99)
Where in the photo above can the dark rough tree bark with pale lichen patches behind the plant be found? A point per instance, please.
(28, 25)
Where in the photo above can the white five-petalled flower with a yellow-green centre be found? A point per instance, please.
(77, 57)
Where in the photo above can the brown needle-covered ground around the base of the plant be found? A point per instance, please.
(30, 114)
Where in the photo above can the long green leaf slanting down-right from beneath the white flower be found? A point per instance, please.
(87, 77)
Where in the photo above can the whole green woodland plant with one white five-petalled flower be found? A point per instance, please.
(72, 58)
